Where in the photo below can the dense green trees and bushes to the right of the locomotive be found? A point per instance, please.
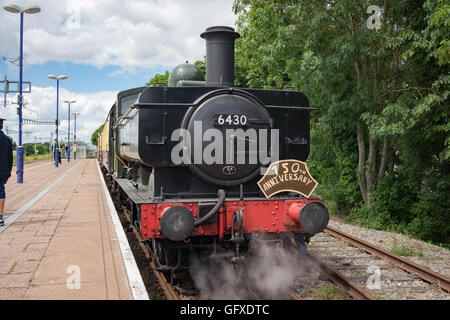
(393, 80)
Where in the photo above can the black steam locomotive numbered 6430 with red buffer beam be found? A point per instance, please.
(184, 159)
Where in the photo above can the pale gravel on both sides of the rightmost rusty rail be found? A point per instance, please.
(395, 283)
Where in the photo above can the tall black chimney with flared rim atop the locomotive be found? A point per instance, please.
(220, 55)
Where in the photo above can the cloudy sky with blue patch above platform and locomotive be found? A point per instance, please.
(103, 46)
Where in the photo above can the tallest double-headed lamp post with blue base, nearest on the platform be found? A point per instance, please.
(30, 10)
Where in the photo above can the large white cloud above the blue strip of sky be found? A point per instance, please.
(127, 34)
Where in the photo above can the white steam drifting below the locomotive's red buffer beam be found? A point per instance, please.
(267, 272)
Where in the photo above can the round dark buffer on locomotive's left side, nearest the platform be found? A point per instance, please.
(177, 223)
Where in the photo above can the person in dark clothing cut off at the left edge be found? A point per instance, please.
(5, 167)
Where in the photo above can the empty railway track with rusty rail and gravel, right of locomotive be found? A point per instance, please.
(402, 279)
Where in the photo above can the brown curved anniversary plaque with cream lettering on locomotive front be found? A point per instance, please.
(287, 176)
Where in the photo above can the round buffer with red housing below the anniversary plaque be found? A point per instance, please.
(313, 217)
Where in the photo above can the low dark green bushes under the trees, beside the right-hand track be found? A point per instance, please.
(394, 206)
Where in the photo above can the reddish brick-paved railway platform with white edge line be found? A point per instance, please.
(62, 238)
